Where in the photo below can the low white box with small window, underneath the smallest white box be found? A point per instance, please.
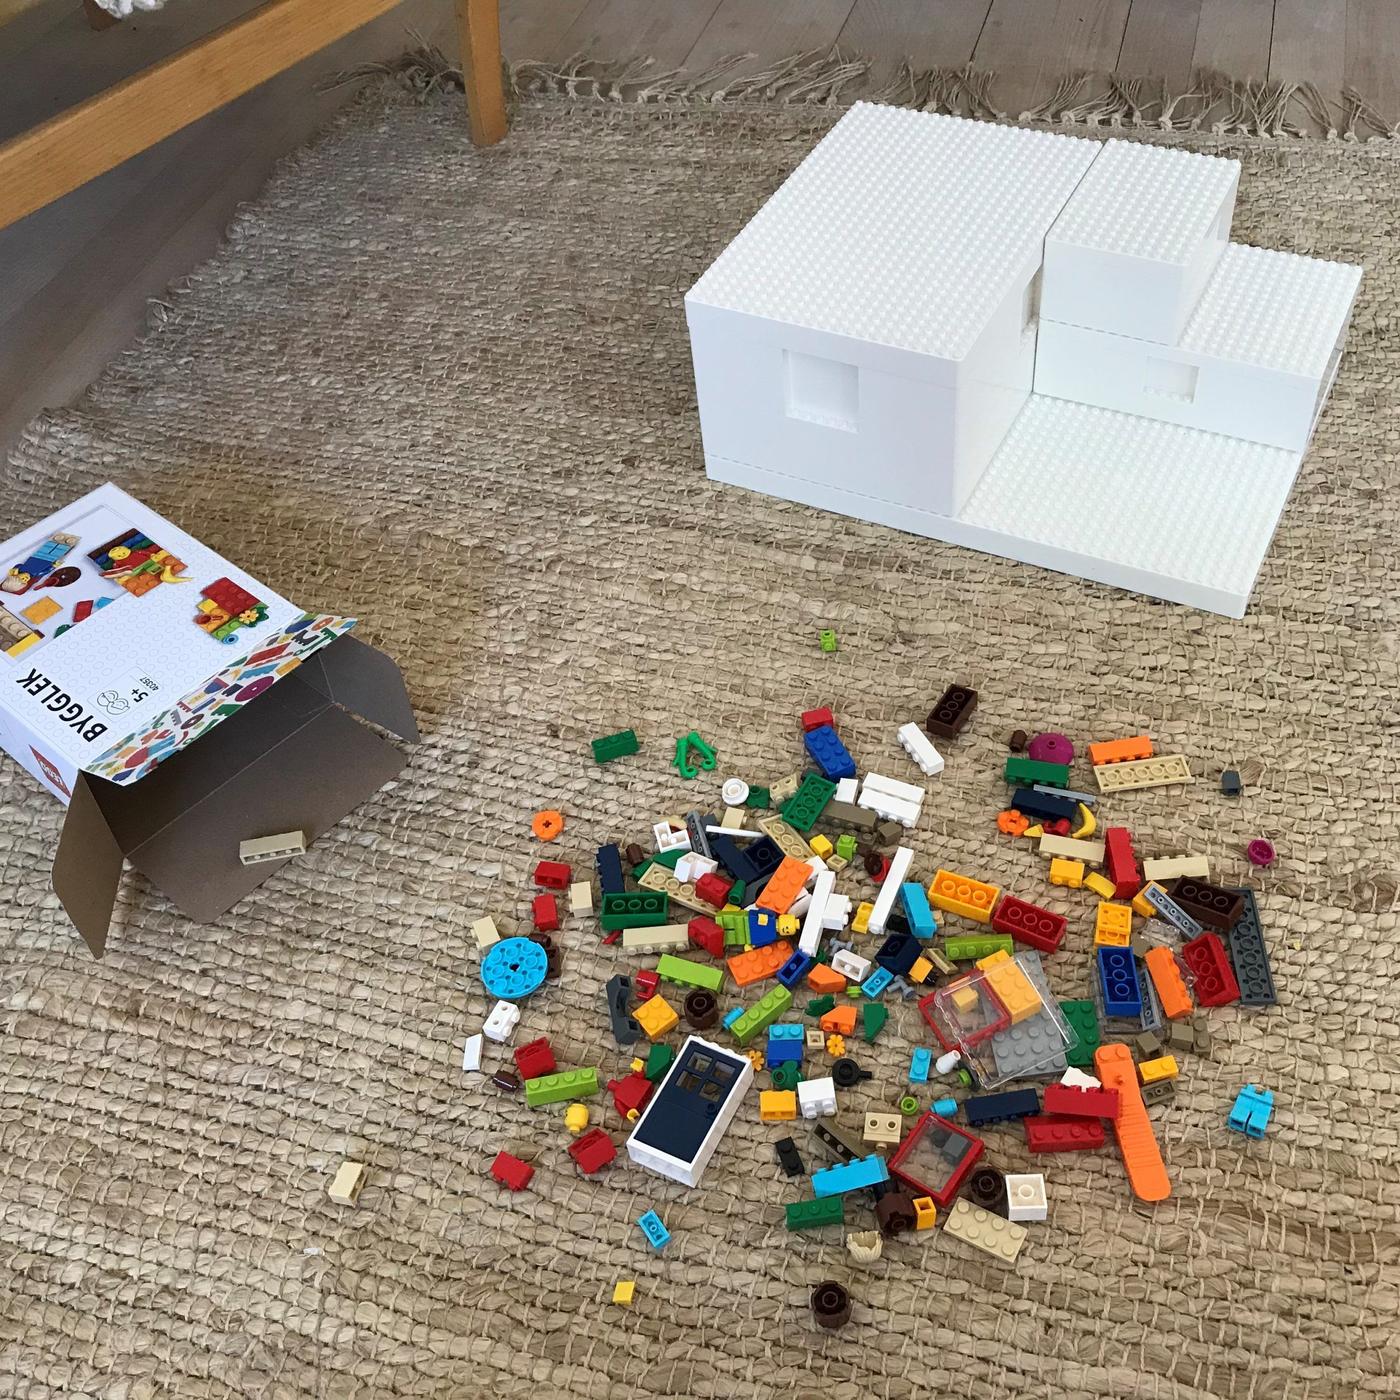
(1255, 363)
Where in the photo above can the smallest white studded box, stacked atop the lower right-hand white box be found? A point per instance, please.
(1136, 244)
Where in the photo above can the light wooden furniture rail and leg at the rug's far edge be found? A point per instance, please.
(68, 150)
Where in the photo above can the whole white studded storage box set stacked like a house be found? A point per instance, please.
(870, 344)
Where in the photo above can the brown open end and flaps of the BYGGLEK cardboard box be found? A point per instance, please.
(290, 761)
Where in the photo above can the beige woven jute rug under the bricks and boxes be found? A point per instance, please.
(449, 391)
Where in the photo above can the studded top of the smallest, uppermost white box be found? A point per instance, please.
(1147, 202)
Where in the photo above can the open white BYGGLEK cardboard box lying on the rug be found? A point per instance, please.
(122, 642)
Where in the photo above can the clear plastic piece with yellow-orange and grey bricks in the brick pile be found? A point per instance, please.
(1003, 1021)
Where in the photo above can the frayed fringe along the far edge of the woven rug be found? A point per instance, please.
(1213, 103)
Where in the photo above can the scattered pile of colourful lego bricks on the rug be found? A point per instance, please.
(750, 899)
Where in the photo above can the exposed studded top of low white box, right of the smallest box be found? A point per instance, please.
(1273, 310)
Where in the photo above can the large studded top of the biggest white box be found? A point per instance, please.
(902, 229)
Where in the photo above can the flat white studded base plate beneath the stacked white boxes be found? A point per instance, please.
(1157, 509)
